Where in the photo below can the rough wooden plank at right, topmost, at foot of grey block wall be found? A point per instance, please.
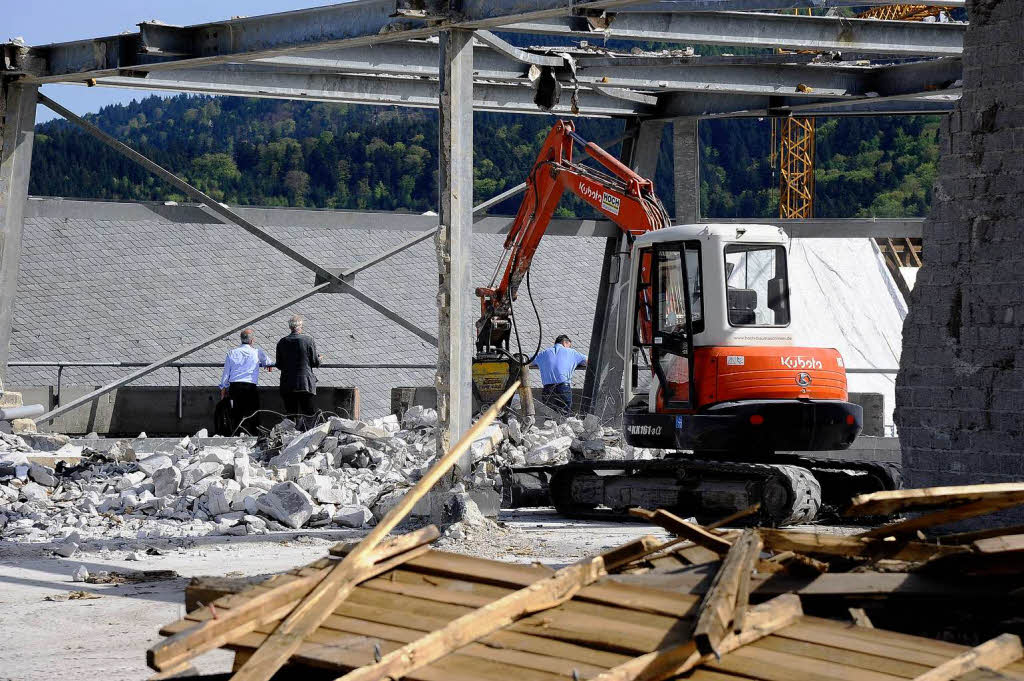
(885, 503)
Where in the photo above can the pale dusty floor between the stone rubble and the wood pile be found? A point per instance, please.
(107, 637)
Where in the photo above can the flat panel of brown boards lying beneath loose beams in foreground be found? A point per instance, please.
(608, 630)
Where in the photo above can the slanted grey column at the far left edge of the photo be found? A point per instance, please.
(18, 120)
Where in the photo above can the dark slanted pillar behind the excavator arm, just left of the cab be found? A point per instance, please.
(604, 386)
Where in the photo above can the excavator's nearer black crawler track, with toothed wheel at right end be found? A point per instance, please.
(707, 490)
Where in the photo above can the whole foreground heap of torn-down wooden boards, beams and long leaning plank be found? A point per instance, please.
(393, 608)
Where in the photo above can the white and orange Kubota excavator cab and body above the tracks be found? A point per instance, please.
(713, 366)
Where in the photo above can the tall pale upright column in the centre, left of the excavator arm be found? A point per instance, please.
(455, 348)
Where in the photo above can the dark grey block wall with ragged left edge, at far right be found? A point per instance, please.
(960, 394)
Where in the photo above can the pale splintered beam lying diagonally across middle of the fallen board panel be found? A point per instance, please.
(542, 595)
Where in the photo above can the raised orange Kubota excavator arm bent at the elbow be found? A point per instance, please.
(621, 195)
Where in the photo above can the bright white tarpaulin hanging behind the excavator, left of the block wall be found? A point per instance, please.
(842, 296)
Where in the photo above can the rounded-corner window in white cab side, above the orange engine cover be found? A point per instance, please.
(757, 286)
